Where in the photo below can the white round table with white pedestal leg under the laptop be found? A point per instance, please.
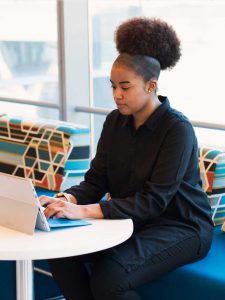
(23, 248)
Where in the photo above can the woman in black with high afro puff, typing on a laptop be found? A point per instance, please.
(147, 160)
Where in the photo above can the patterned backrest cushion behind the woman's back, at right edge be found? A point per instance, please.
(212, 169)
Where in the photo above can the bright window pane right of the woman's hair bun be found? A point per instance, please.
(195, 85)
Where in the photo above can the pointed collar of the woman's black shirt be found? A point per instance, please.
(155, 117)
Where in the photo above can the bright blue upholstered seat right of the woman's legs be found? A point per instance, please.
(204, 279)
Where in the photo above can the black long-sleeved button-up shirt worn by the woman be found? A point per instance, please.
(151, 173)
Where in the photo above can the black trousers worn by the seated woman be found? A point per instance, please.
(116, 272)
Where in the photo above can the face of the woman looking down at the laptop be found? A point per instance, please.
(130, 92)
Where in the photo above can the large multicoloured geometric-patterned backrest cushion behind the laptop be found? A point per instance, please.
(51, 153)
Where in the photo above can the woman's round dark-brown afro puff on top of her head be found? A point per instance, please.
(151, 37)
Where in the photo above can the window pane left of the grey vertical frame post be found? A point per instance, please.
(28, 55)
